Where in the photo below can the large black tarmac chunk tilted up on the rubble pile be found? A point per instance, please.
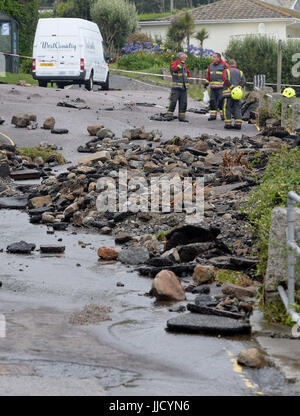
(189, 234)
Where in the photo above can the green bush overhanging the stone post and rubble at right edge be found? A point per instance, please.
(281, 176)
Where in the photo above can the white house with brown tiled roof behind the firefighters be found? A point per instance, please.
(226, 19)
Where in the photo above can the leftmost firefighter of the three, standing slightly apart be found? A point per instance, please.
(180, 83)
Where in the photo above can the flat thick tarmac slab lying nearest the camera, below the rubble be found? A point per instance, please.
(207, 324)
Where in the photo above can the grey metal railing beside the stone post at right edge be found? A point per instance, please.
(293, 250)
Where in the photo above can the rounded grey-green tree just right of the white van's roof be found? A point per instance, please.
(117, 19)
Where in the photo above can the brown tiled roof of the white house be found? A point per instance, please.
(238, 10)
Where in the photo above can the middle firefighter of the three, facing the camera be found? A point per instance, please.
(215, 81)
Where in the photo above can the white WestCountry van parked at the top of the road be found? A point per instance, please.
(69, 51)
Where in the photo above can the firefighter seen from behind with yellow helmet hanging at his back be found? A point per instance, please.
(234, 81)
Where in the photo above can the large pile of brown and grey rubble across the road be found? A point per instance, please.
(165, 245)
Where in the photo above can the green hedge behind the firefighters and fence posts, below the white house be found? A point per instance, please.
(258, 55)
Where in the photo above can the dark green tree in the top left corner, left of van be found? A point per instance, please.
(25, 12)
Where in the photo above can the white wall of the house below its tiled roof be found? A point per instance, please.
(221, 33)
